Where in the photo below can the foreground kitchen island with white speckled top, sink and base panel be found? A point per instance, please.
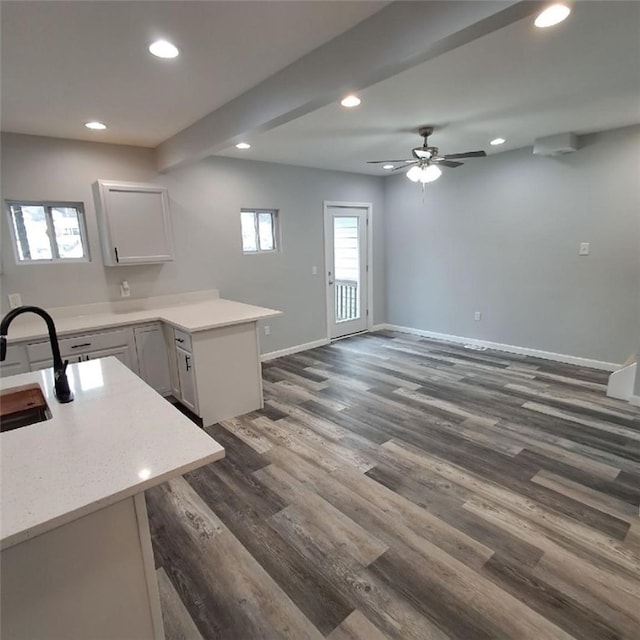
(76, 550)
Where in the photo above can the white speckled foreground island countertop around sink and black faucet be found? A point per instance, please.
(117, 438)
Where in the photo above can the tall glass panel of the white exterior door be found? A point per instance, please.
(346, 251)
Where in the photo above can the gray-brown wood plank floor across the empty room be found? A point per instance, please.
(396, 487)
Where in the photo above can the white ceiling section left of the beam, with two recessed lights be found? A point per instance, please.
(65, 63)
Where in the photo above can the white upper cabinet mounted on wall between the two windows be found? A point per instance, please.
(134, 221)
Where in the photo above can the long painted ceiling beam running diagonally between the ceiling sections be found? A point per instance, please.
(398, 37)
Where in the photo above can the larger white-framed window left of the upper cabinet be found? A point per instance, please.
(48, 232)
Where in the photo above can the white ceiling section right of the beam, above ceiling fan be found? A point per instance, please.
(519, 83)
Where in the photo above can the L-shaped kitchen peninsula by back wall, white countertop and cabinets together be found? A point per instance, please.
(199, 348)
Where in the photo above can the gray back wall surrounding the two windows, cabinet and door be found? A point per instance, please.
(206, 199)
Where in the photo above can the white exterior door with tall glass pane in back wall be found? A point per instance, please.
(346, 256)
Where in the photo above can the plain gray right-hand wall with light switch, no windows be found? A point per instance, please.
(501, 236)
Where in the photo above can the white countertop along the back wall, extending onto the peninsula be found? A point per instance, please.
(190, 317)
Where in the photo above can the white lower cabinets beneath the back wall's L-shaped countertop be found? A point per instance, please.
(215, 372)
